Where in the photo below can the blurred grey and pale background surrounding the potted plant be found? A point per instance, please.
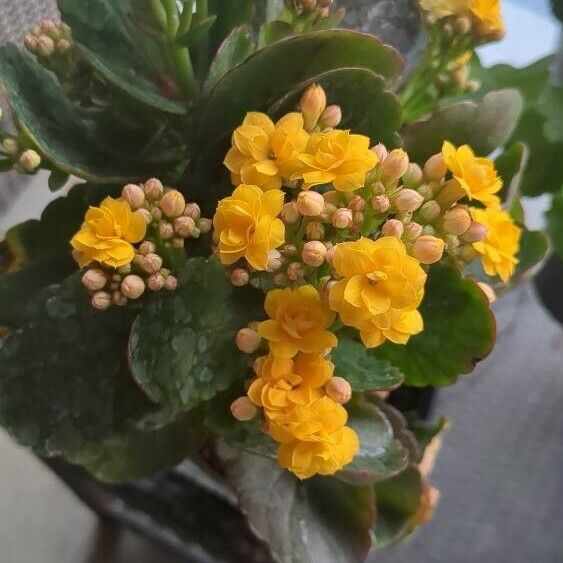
(500, 471)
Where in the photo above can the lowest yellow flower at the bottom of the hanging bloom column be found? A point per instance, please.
(314, 439)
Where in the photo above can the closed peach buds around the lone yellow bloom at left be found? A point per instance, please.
(170, 220)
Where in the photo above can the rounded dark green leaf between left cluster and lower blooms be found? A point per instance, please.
(182, 347)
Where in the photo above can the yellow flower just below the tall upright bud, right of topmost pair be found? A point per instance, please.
(338, 158)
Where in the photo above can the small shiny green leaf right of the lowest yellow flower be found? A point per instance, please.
(382, 453)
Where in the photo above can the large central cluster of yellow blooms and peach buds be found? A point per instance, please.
(347, 231)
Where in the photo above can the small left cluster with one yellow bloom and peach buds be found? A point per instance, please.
(127, 245)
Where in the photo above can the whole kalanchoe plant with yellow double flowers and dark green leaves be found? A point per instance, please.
(350, 252)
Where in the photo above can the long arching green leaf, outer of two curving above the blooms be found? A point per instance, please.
(288, 63)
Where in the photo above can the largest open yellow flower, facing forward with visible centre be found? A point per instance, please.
(377, 276)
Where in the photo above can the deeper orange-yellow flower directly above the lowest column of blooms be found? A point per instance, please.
(298, 322)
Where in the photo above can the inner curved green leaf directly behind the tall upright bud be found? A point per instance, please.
(367, 107)
